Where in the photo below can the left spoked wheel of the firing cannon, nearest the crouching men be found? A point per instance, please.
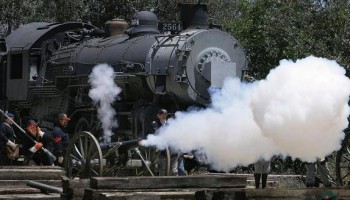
(84, 156)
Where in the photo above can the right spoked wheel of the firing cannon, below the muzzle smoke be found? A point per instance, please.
(156, 162)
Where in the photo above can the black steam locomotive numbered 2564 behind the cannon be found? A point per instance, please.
(45, 67)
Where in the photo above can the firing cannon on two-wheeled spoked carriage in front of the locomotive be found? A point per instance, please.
(85, 158)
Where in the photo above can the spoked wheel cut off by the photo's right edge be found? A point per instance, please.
(343, 161)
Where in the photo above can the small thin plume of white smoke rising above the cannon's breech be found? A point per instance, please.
(103, 92)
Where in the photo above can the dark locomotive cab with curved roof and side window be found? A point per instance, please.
(28, 49)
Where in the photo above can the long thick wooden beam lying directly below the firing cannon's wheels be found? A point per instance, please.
(168, 182)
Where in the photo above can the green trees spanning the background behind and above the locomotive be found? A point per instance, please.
(269, 30)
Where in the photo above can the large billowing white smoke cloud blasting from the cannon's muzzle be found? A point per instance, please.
(299, 110)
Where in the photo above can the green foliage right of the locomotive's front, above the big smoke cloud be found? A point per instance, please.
(273, 30)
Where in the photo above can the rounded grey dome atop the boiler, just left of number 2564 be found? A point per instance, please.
(143, 22)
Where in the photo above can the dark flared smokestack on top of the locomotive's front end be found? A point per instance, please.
(194, 15)
